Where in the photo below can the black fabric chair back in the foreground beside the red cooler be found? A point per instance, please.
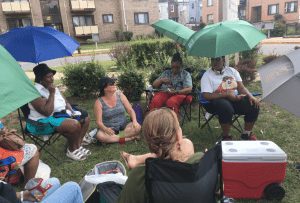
(170, 181)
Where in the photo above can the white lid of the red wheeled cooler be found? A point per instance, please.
(252, 151)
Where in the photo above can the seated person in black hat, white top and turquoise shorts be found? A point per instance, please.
(43, 108)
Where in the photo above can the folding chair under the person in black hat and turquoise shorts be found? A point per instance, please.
(42, 141)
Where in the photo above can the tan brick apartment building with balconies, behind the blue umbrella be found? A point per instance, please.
(82, 18)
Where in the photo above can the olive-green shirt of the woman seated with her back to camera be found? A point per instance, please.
(134, 190)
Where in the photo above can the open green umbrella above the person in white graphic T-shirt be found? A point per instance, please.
(224, 38)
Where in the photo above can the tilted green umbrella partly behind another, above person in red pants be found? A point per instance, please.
(173, 30)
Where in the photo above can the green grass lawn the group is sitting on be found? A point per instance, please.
(273, 124)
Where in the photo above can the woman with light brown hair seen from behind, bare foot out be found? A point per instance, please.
(164, 137)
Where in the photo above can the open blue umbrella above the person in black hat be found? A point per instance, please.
(37, 44)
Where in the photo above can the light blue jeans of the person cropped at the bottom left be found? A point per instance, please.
(67, 193)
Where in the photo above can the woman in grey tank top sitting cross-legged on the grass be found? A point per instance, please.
(110, 115)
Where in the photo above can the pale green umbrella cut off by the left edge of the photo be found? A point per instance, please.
(15, 87)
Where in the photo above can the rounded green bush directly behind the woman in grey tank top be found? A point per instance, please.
(132, 83)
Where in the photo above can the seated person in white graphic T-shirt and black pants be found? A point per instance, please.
(222, 86)
